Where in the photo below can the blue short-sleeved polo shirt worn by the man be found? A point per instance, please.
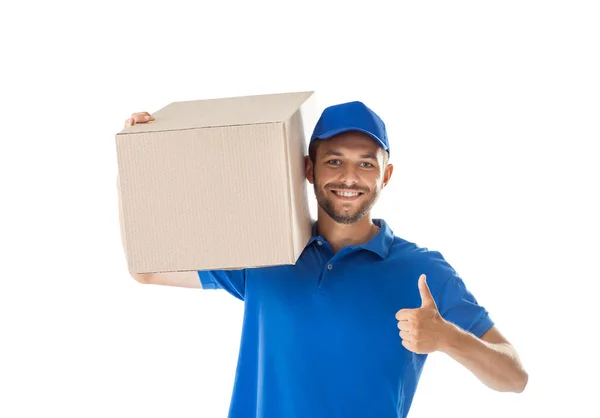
(320, 338)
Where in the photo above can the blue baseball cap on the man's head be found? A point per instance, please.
(351, 116)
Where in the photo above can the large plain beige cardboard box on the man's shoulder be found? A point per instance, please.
(217, 184)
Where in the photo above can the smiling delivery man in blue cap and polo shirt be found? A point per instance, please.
(346, 331)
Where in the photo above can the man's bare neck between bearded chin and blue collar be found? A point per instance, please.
(343, 235)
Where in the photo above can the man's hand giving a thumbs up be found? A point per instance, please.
(423, 330)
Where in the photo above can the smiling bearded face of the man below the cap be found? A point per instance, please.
(349, 172)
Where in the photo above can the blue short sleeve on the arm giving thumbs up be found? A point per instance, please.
(454, 301)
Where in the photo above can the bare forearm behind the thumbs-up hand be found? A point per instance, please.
(496, 365)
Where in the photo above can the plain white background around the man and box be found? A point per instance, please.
(493, 113)
